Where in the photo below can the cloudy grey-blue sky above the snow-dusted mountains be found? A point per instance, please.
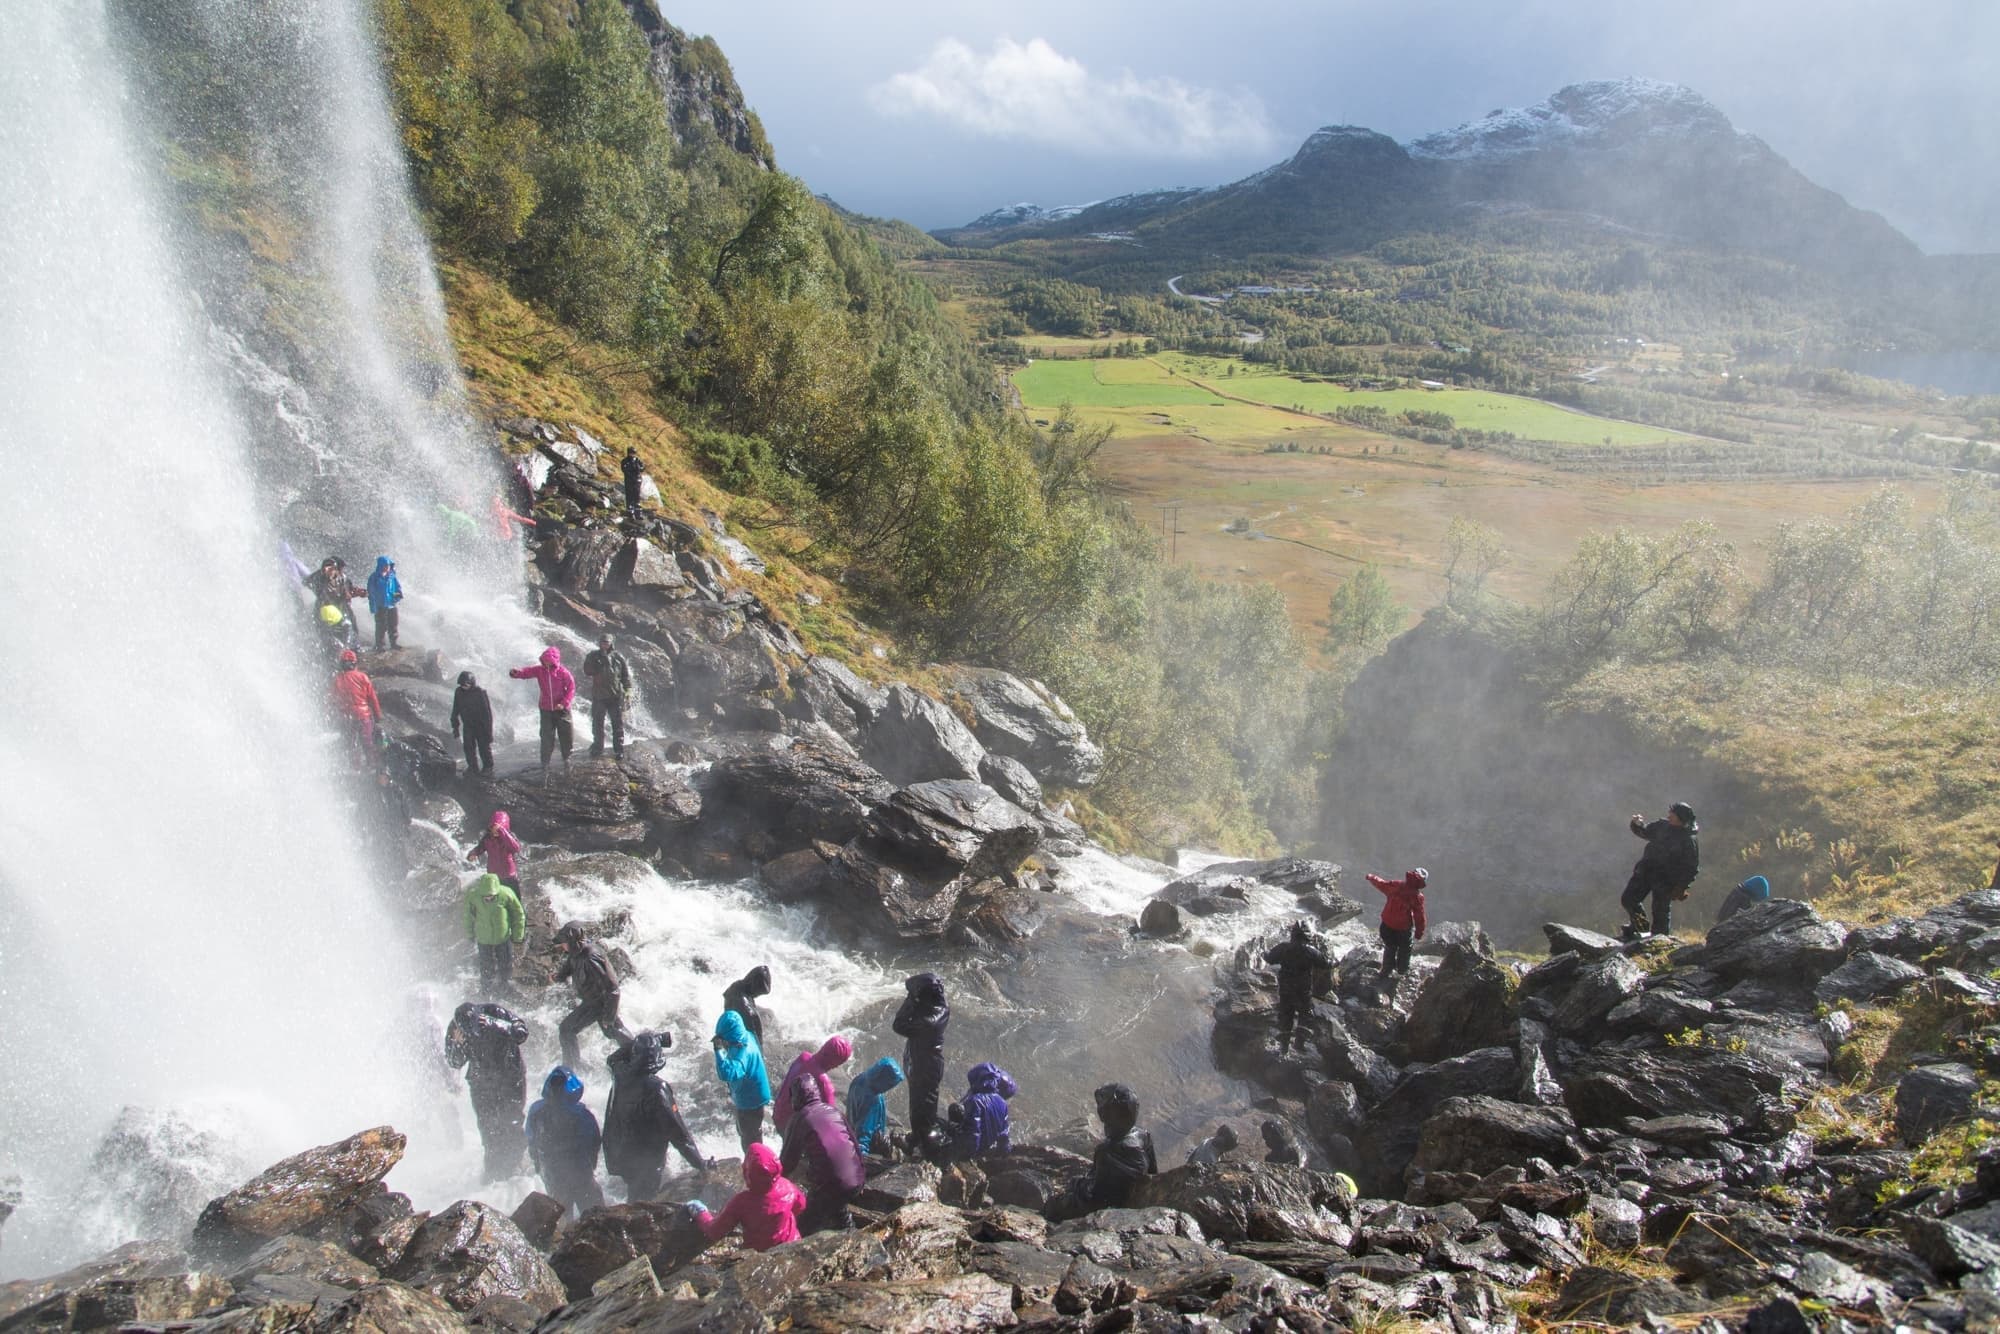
(939, 111)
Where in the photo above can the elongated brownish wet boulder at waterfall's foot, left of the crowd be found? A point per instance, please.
(293, 1195)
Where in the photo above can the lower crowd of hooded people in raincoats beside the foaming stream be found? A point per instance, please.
(825, 1137)
